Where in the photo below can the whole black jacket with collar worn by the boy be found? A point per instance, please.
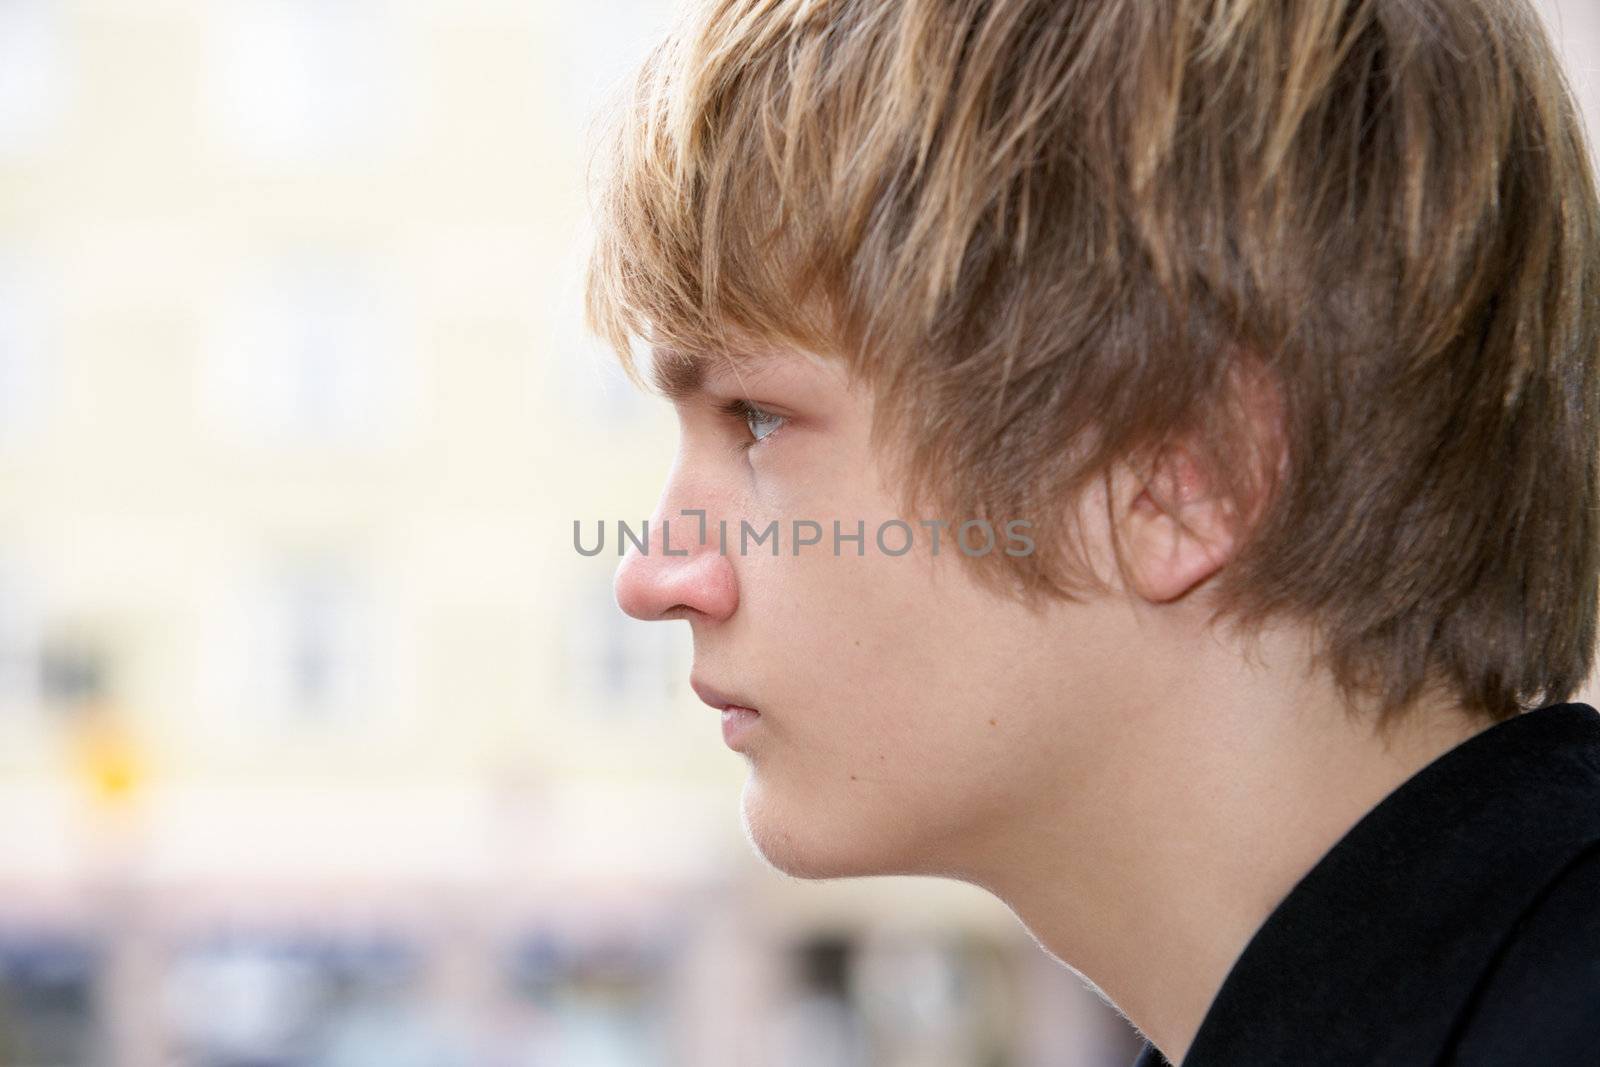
(1458, 922)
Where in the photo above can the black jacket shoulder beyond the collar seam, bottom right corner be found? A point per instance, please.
(1540, 1002)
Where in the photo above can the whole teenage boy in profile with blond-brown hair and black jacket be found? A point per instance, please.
(1140, 458)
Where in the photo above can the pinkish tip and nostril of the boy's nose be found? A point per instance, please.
(678, 577)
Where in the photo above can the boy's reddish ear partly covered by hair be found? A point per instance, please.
(1175, 532)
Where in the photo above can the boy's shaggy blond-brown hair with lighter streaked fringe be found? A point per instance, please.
(1060, 234)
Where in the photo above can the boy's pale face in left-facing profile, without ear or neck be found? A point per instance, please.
(911, 721)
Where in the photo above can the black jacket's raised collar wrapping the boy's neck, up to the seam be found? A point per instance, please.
(1375, 953)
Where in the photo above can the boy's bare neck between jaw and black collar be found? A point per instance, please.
(1161, 858)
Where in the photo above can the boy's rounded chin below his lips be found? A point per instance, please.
(804, 847)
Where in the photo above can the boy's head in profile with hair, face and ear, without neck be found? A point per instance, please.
(1278, 326)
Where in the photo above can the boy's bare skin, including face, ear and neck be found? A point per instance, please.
(1127, 780)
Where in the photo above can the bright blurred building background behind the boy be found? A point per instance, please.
(319, 743)
